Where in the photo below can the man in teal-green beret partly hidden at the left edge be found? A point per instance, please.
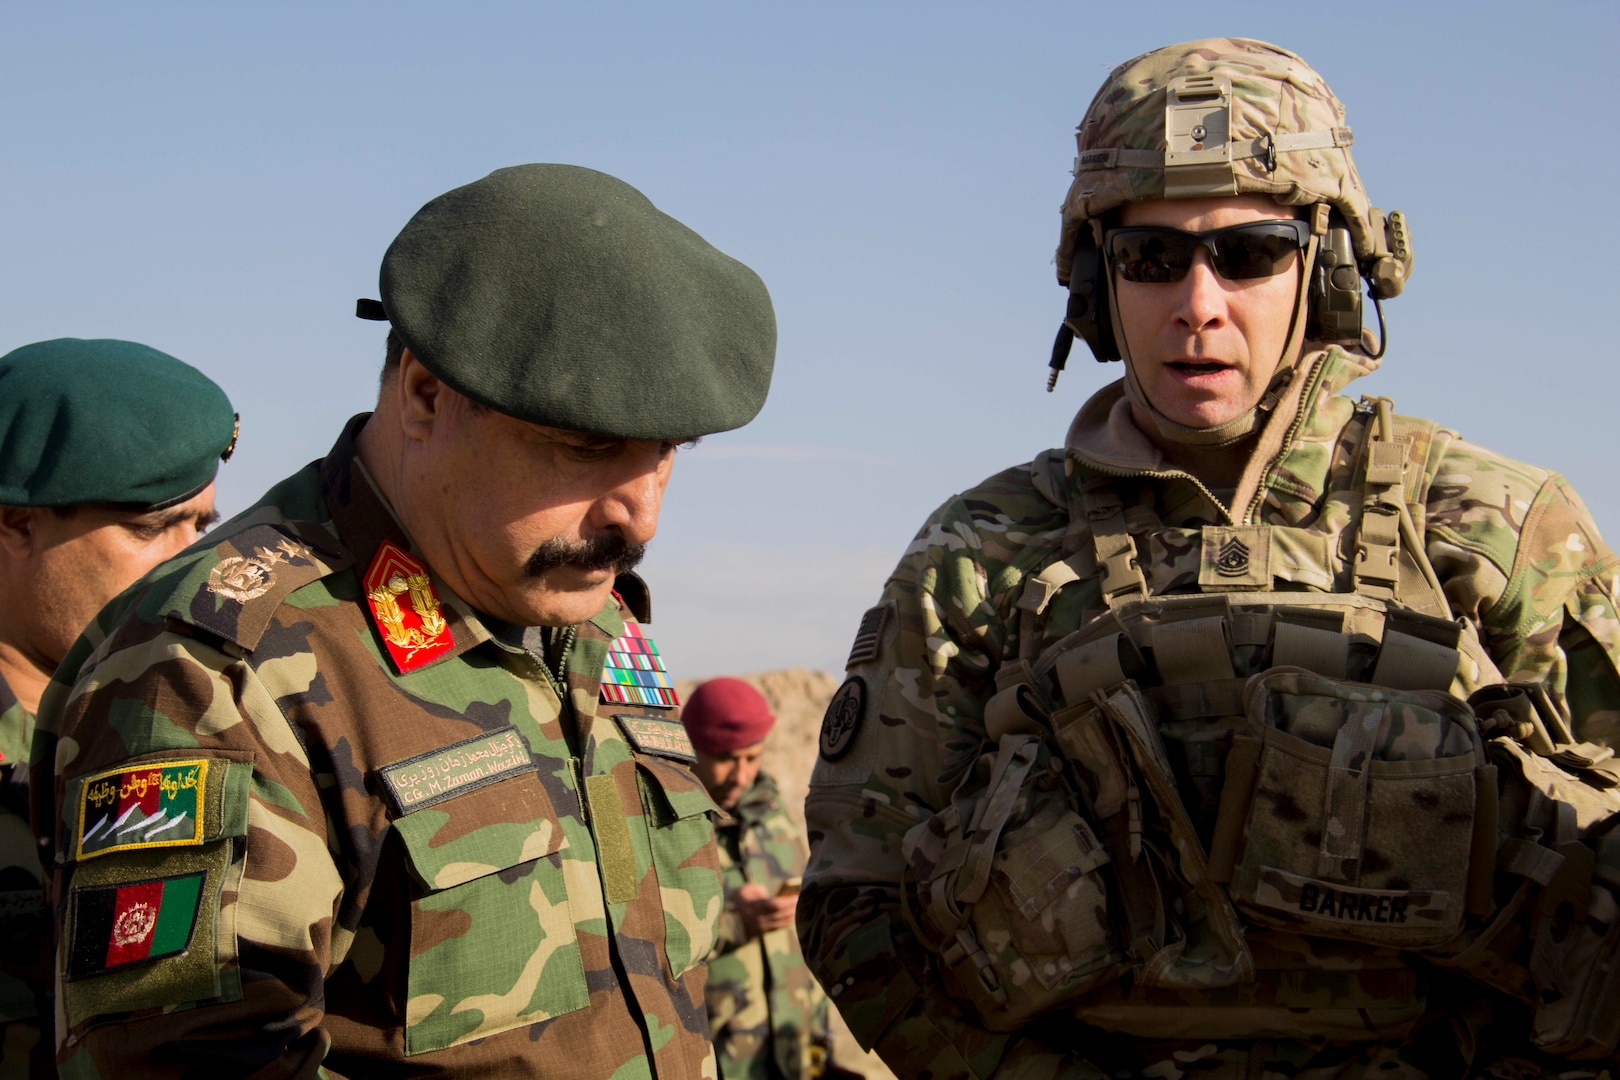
(108, 459)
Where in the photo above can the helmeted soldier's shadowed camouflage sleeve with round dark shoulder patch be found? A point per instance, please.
(900, 733)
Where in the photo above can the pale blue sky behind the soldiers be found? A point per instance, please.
(220, 181)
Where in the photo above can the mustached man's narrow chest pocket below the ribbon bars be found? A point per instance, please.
(681, 835)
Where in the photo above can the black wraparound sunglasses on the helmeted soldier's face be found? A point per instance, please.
(1157, 255)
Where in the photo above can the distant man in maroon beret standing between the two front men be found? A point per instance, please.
(767, 1014)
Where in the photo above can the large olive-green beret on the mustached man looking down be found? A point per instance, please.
(563, 297)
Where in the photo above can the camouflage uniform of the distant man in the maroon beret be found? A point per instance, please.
(764, 1005)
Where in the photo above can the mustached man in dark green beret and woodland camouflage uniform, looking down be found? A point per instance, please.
(390, 780)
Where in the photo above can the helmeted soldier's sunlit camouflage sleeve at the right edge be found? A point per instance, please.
(1522, 559)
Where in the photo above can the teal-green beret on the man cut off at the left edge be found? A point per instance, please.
(104, 422)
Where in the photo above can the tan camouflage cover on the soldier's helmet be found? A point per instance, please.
(1219, 117)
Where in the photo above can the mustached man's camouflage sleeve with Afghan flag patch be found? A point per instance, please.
(194, 887)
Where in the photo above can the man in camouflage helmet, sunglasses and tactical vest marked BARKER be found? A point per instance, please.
(1255, 733)
